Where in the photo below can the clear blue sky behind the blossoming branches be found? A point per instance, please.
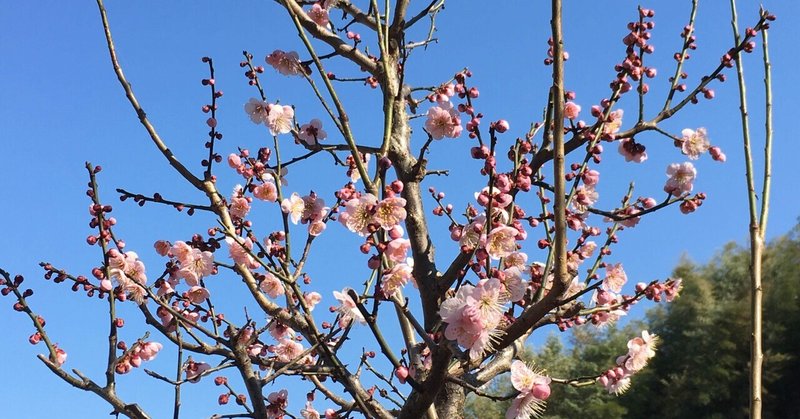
(61, 105)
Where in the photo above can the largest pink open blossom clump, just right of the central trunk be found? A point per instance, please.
(474, 314)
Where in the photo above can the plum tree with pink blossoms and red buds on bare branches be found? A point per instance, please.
(463, 321)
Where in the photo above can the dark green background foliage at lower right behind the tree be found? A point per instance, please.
(701, 366)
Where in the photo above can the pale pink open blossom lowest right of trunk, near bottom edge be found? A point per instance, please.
(534, 389)
